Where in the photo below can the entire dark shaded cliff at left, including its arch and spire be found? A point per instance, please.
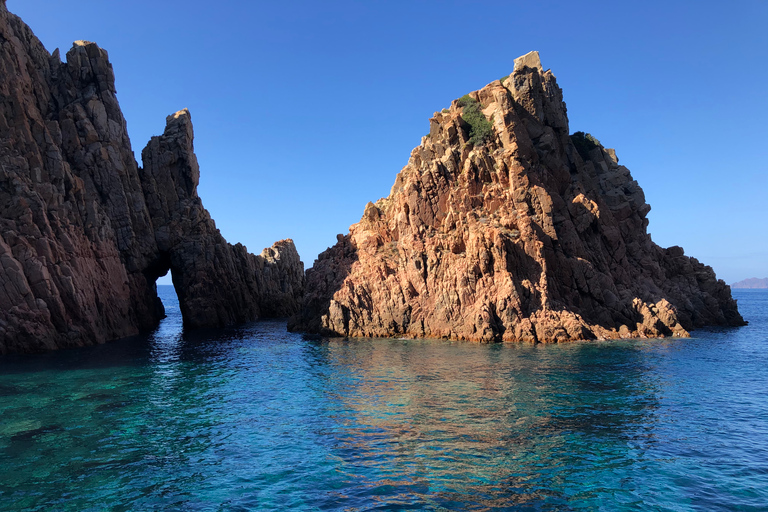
(84, 232)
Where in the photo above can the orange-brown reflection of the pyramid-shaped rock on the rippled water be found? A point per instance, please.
(433, 418)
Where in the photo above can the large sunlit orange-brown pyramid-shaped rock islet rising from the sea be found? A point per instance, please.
(518, 238)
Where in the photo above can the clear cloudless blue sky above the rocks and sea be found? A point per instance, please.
(305, 111)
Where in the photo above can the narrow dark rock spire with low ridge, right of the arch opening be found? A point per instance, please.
(217, 283)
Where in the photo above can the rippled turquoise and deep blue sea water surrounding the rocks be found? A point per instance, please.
(256, 418)
